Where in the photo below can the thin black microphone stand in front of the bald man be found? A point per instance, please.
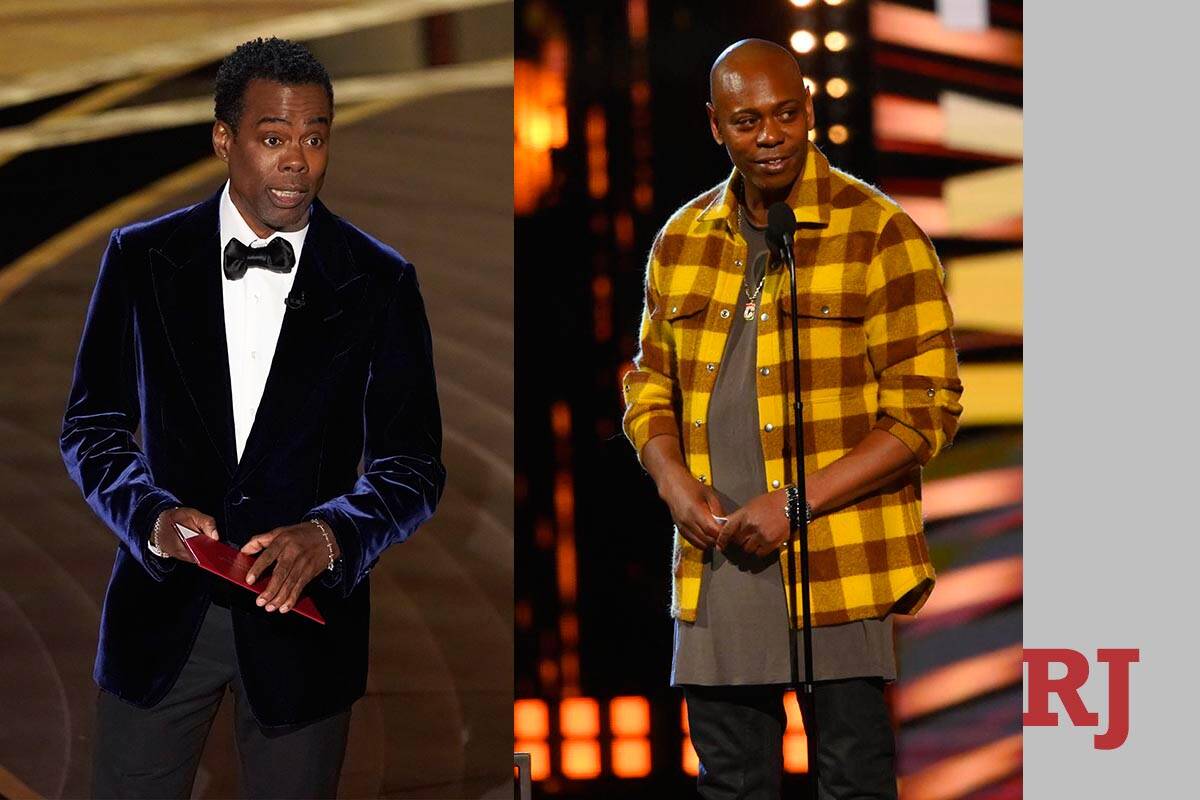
(800, 531)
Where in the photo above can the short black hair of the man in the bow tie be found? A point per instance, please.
(272, 59)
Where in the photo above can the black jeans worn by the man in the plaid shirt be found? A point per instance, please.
(739, 735)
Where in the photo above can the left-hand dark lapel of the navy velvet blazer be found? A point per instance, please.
(188, 288)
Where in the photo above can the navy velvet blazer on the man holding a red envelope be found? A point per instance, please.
(352, 381)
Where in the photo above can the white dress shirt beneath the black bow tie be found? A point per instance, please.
(254, 312)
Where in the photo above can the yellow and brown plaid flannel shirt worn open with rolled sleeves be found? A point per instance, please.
(878, 353)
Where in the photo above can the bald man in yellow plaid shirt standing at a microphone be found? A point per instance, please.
(709, 410)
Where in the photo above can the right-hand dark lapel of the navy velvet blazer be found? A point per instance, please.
(310, 336)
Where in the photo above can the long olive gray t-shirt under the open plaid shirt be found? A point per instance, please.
(741, 630)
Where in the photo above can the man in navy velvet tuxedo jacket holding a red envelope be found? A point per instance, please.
(352, 378)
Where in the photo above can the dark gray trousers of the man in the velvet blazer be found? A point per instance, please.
(155, 753)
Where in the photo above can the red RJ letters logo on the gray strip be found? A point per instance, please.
(1040, 685)
